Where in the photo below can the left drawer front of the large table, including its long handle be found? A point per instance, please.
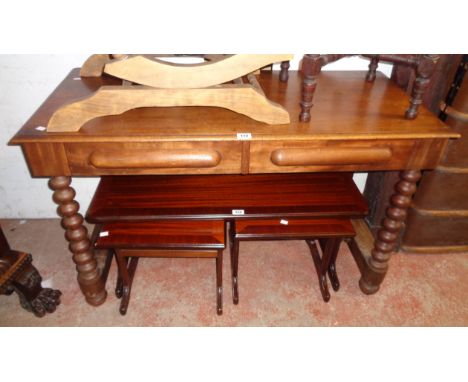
(154, 158)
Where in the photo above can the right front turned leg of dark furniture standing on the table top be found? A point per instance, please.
(424, 72)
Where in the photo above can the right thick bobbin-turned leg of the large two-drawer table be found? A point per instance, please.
(387, 236)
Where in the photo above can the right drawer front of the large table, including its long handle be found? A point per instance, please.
(359, 155)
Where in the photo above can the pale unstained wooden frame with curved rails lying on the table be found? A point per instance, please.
(151, 82)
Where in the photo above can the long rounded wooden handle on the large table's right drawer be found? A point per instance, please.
(330, 156)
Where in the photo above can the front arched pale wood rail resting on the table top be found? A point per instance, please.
(114, 100)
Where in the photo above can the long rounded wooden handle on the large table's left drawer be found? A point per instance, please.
(155, 159)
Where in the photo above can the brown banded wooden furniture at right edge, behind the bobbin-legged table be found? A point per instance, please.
(438, 217)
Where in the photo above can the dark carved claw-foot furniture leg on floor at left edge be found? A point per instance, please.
(17, 274)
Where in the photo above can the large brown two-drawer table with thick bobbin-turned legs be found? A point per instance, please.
(355, 126)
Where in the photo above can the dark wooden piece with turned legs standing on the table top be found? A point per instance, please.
(312, 65)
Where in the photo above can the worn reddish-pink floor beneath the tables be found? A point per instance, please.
(278, 287)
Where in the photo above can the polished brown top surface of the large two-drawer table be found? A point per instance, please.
(345, 107)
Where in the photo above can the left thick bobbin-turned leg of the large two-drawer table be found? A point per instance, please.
(89, 278)
